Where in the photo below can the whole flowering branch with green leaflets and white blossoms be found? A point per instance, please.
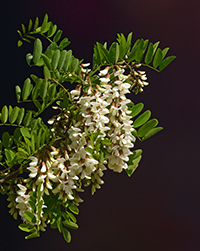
(45, 165)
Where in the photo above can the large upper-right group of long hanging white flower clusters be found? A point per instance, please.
(105, 111)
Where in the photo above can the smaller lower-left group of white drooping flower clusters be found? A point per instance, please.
(45, 173)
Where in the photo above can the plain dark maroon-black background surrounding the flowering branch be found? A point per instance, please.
(158, 208)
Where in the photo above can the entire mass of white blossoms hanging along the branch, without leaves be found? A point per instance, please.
(103, 112)
